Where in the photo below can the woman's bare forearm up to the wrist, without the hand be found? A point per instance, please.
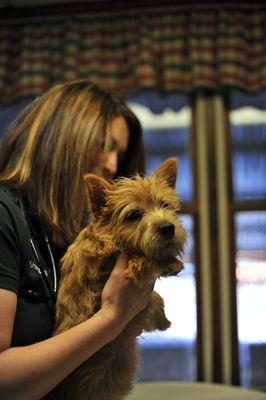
(30, 372)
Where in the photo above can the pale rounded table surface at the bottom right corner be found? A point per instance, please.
(192, 391)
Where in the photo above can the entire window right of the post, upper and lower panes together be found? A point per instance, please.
(248, 132)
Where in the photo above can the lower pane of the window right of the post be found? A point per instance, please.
(251, 296)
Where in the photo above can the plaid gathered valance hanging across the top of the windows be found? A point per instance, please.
(167, 48)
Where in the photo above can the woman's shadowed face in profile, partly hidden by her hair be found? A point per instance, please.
(109, 160)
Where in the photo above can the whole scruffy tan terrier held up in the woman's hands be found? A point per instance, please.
(136, 217)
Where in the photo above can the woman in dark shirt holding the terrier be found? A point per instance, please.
(73, 129)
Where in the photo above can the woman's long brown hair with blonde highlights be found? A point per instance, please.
(54, 142)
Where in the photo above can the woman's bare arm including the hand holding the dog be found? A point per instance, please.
(30, 372)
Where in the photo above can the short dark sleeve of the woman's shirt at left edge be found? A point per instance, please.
(10, 258)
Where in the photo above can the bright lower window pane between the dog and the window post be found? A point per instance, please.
(171, 355)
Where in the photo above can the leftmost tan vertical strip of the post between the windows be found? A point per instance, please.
(204, 269)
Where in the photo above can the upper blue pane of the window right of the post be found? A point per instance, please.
(248, 127)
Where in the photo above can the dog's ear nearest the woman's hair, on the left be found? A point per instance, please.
(97, 188)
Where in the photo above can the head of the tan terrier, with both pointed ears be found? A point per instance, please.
(141, 213)
